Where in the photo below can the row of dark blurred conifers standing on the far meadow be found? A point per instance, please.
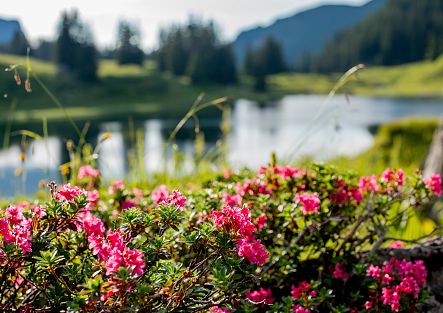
(193, 49)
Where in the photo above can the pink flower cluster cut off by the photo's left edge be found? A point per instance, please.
(15, 228)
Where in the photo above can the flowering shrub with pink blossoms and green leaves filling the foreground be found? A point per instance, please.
(281, 240)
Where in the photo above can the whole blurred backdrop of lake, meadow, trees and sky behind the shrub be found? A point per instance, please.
(121, 77)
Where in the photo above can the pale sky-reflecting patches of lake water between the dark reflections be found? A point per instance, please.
(296, 126)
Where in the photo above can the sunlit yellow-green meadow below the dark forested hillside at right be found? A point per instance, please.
(421, 79)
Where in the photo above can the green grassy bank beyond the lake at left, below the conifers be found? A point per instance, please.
(121, 91)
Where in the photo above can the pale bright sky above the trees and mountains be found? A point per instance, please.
(39, 18)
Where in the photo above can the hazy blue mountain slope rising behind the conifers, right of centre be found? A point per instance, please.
(307, 31)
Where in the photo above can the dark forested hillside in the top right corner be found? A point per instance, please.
(401, 32)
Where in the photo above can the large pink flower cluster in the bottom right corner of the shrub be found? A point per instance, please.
(397, 278)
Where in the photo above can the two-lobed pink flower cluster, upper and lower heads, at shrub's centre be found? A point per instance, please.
(237, 222)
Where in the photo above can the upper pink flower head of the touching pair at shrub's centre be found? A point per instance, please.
(234, 220)
